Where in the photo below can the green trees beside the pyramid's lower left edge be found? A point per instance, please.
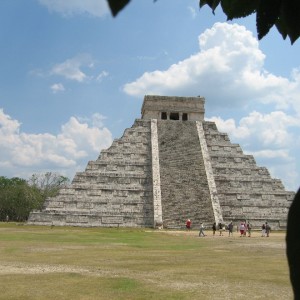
(18, 197)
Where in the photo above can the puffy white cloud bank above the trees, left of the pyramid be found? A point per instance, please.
(66, 151)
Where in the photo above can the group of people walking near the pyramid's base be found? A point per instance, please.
(244, 228)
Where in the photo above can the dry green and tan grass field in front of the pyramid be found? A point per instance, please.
(97, 263)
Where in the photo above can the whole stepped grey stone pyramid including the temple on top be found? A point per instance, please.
(171, 165)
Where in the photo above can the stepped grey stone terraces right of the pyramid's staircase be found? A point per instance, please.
(246, 191)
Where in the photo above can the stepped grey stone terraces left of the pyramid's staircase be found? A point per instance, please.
(115, 190)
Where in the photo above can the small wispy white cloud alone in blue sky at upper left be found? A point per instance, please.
(72, 68)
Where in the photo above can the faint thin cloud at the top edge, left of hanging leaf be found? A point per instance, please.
(67, 8)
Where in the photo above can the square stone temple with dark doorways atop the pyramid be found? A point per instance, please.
(173, 108)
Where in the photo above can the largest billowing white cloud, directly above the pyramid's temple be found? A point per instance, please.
(229, 67)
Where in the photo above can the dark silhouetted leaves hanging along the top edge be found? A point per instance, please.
(284, 14)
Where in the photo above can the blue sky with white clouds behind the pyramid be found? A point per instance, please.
(73, 78)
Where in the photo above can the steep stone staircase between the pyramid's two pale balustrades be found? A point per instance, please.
(184, 184)
